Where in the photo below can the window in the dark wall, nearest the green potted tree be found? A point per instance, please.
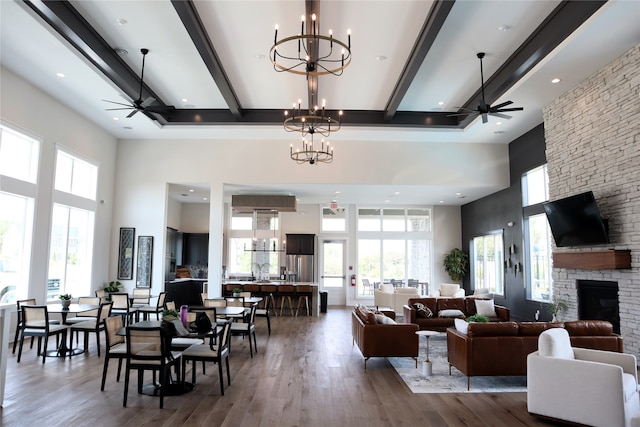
(487, 260)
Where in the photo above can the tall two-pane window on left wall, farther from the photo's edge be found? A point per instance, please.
(72, 226)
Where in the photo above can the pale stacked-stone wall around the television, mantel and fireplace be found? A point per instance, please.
(593, 143)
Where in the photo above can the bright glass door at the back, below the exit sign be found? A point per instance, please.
(333, 261)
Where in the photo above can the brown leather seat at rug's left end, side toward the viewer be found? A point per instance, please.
(383, 340)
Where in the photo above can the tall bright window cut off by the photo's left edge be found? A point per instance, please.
(19, 156)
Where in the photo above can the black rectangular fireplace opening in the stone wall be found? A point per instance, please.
(598, 300)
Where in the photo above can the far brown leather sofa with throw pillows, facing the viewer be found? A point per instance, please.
(434, 323)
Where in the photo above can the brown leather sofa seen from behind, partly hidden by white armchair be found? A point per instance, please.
(502, 348)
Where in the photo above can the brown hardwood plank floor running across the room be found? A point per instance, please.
(307, 373)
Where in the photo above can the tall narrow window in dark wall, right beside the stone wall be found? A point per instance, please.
(537, 236)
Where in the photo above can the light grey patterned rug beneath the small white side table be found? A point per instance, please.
(441, 382)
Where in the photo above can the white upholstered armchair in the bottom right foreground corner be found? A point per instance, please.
(593, 387)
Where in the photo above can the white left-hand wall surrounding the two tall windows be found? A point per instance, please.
(30, 109)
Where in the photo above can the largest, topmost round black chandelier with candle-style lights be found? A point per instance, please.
(315, 53)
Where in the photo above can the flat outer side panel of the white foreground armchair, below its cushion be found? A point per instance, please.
(567, 388)
